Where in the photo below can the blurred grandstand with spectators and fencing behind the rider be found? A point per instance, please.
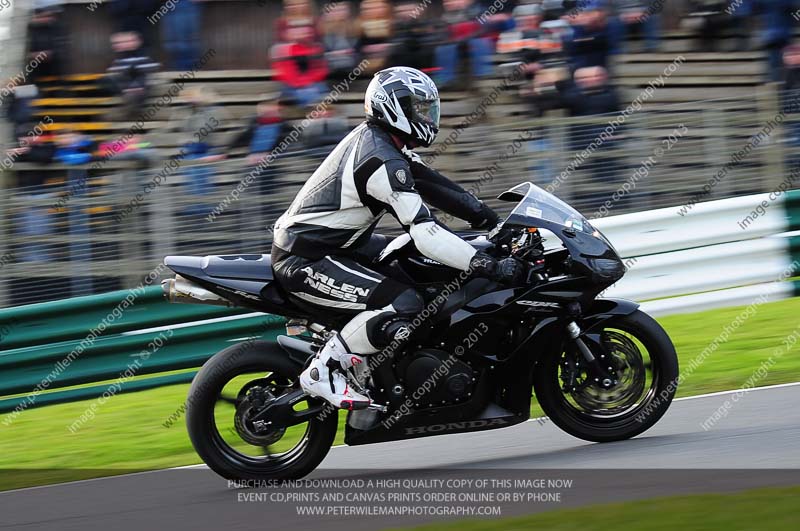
(179, 101)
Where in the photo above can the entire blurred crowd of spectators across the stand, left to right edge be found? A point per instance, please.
(564, 47)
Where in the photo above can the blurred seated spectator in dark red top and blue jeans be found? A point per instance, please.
(464, 36)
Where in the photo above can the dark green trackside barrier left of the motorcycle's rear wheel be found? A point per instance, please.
(49, 347)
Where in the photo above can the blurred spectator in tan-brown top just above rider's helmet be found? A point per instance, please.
(375, 34)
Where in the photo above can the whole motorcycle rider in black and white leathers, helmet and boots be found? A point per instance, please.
(321, 241)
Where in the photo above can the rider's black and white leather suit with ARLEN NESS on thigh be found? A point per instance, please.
(319, 241)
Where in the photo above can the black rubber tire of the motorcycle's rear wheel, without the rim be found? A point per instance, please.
(247, 357)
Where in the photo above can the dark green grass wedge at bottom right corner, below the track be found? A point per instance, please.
(763, 509)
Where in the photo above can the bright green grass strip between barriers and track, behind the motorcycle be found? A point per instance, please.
(128, 434)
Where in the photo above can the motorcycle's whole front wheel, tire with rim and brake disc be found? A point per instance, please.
(579, 410)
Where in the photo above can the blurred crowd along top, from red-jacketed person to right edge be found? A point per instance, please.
(459, 45)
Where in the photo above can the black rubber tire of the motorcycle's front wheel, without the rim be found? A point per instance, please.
(614, 427)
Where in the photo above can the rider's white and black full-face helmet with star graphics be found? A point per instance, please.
(406, 102)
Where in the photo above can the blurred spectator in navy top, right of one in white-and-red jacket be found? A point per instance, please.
(591, 41)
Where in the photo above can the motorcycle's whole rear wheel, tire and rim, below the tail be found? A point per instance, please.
(272, 367)
